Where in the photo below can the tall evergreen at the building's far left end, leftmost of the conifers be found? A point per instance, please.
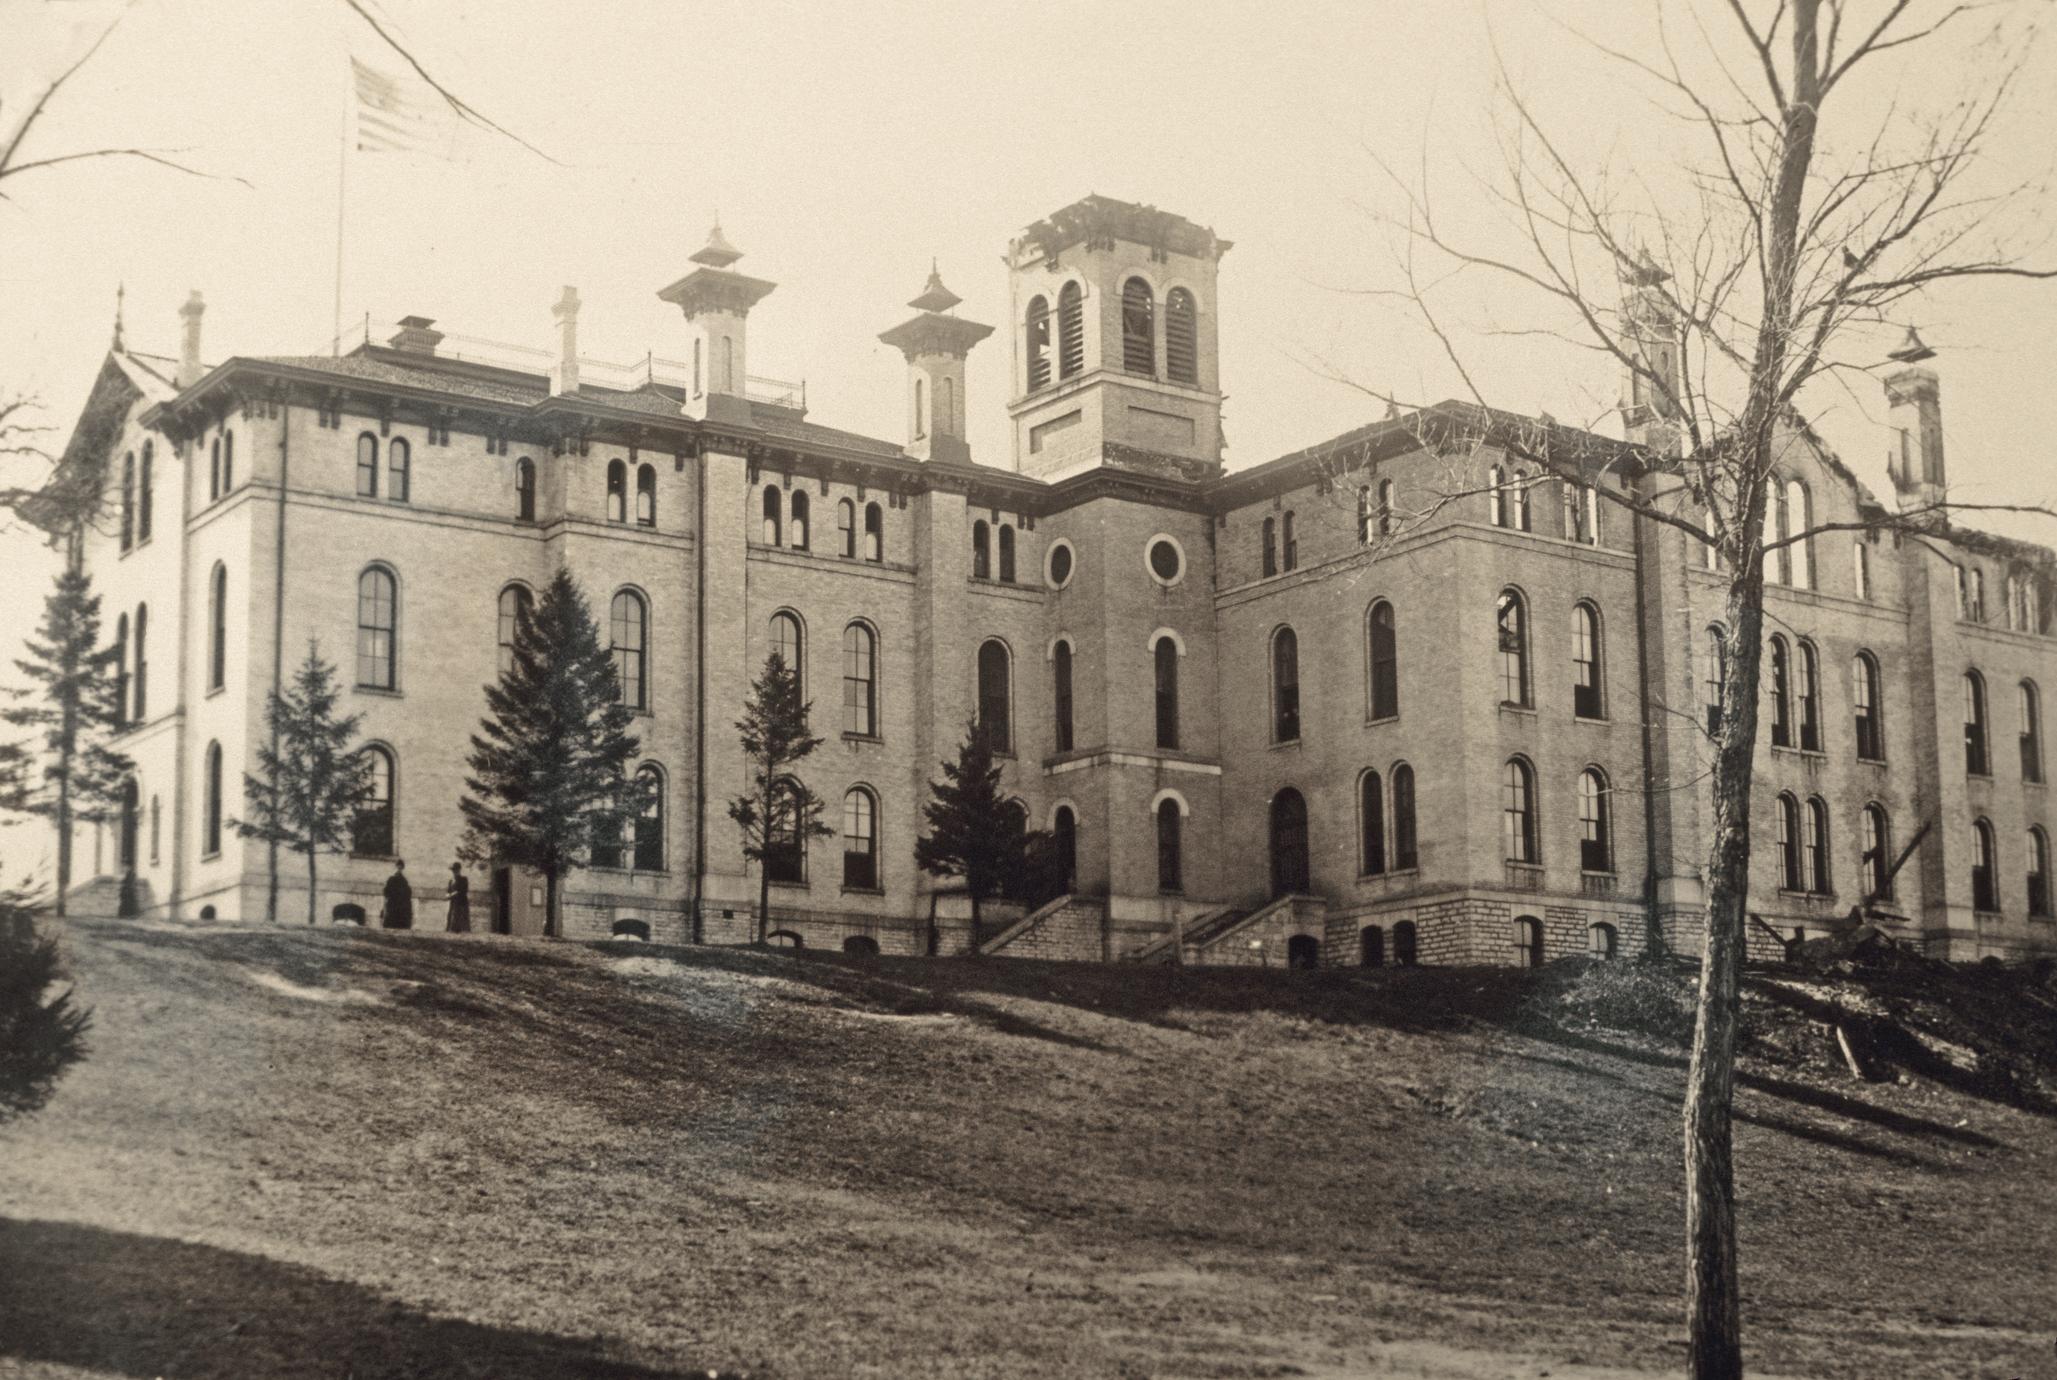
(75, 700)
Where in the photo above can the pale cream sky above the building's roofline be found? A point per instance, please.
(844, 147)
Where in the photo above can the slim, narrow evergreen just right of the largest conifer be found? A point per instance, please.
(781, 813)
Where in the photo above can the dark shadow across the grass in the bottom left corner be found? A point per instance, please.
(151, 1307)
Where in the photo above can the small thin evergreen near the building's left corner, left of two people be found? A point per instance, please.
(310, 780)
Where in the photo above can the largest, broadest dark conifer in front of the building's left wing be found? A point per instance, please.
(550, 762)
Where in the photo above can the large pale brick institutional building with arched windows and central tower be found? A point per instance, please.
(1381, 700)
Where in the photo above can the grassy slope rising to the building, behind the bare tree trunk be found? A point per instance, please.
(367, 1155)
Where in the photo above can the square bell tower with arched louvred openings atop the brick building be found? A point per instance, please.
(1116, 342)
